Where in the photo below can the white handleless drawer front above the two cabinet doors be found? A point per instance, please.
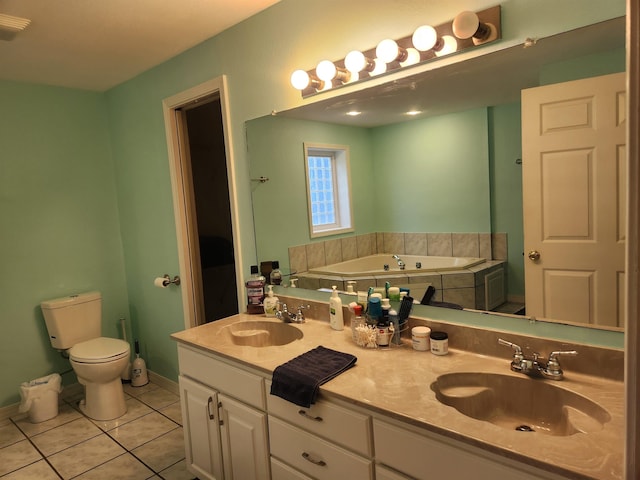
(234, 381)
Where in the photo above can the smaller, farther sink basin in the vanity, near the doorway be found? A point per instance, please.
(261, 333)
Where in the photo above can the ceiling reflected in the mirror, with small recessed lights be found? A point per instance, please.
(492, 79)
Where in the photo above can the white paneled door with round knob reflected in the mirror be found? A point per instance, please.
(574, 196)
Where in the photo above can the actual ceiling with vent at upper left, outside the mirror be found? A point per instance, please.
(97, 44)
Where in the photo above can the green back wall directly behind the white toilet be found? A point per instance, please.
(60, 232)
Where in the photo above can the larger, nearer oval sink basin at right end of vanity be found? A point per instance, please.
(520, 403)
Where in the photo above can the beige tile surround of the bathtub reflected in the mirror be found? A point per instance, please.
(465, 289)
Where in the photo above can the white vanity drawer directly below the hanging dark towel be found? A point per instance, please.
(339, 425)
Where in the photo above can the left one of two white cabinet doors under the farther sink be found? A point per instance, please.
(201, 431)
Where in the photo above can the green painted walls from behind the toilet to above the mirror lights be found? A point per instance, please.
(86, 194)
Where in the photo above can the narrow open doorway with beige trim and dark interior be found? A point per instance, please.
(205, 201)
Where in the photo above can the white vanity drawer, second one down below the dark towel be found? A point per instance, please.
(314, 456)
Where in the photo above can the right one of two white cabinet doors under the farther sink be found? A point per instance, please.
(245, 444)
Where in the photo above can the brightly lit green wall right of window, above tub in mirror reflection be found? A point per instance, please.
(432, 174)
